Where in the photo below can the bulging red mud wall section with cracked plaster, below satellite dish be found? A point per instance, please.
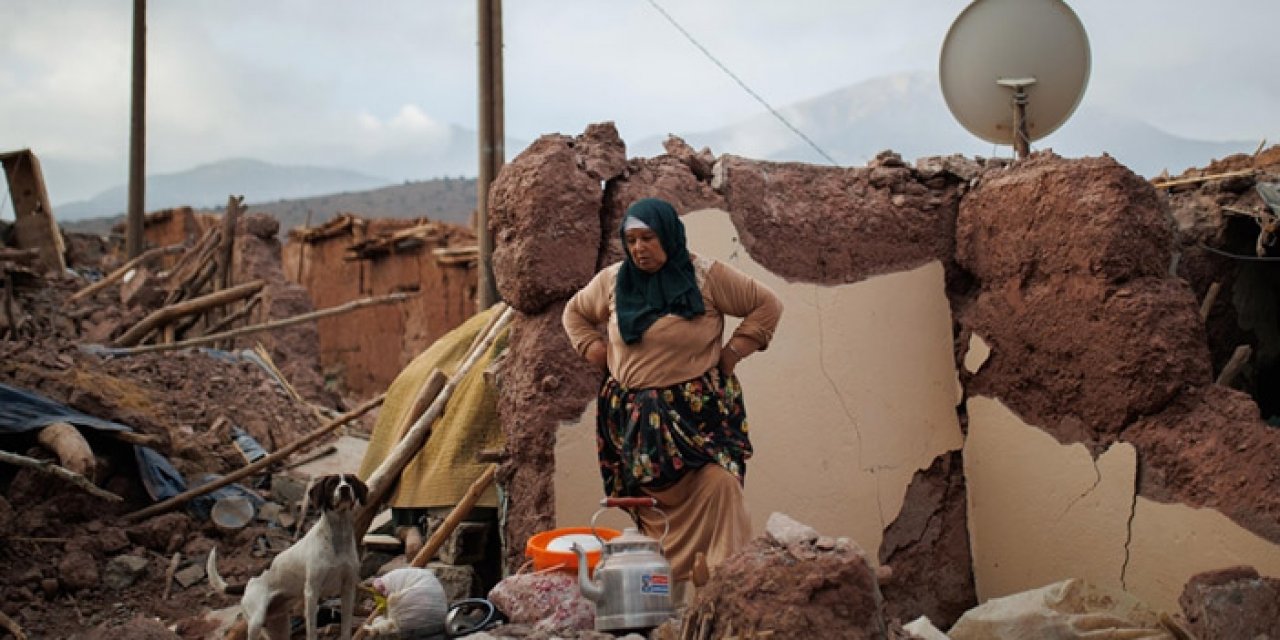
(1094, 344)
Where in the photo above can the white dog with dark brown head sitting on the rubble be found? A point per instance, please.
(323, 564)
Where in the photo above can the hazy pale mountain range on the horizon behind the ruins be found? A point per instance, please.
(906, 113)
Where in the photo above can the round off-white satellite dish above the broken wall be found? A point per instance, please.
(1014, 71)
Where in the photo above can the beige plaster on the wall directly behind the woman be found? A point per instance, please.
(856, 395)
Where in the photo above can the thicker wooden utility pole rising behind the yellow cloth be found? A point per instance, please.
(492, 153)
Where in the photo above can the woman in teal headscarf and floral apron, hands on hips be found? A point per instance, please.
(670, 420)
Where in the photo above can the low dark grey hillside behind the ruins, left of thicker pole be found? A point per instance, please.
(450, 200)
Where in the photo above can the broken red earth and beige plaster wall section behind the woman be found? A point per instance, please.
(555, 228)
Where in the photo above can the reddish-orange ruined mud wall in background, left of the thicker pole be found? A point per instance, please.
(351, 258)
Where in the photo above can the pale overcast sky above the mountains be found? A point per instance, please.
(299, 81)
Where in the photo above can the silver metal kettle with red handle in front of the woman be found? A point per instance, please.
(633, 583)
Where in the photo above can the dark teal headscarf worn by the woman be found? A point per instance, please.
(642, 298)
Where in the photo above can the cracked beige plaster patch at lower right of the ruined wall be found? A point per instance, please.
(1041, 511)
